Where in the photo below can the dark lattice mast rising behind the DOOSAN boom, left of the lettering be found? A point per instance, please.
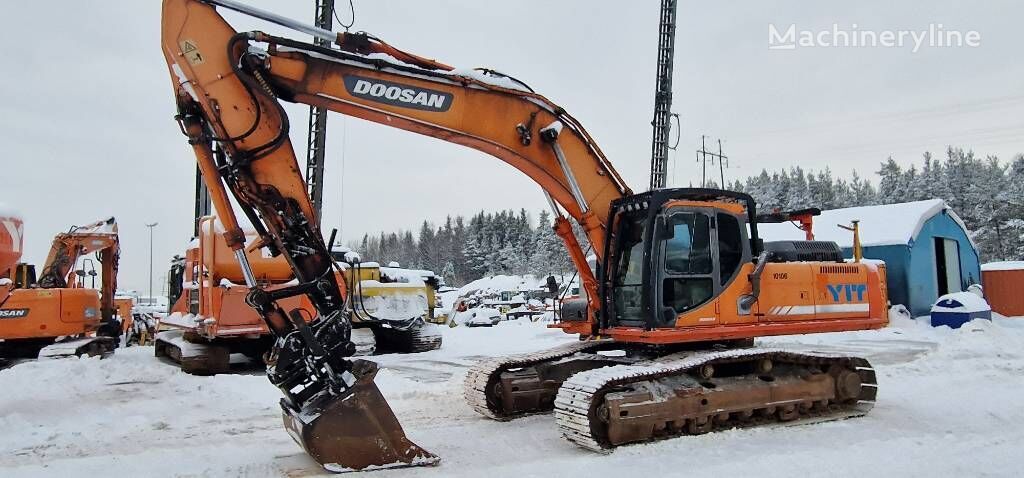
(316, 149)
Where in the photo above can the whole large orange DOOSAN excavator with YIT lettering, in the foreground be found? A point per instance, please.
(667, 322)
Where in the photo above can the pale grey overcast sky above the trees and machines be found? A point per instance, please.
(89, 132)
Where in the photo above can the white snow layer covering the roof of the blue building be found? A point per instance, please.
(878, 227)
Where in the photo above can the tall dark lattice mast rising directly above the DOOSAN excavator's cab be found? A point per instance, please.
(663, 95)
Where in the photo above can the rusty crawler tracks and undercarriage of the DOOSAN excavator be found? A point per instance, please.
(606, 395)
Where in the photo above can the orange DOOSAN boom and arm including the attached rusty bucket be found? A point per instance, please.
(229, 88)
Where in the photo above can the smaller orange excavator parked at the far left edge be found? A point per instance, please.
(55, 315)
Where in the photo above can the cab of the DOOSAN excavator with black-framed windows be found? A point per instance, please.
(673, 251)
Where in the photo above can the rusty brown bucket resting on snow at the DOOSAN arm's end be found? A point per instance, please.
(356, 431)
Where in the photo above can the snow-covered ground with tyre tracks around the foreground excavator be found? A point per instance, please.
(950, 406)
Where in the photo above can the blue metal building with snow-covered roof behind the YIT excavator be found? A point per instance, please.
(925, 246)
